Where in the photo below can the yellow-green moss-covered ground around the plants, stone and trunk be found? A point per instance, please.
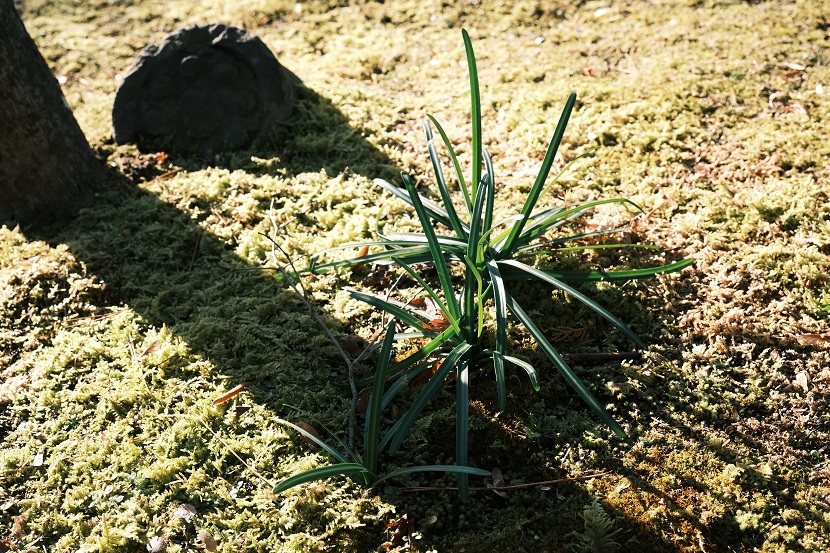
(119, 329)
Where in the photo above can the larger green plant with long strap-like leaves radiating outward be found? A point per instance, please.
(490, 254)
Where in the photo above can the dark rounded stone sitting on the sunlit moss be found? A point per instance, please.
(203, 90)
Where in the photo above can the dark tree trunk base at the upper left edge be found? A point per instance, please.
(47, 169)
